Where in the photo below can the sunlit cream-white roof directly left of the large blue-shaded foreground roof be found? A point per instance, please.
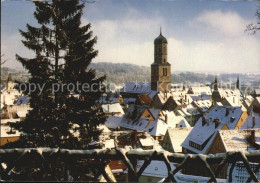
(177, 136)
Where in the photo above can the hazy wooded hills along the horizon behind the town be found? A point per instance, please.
(119, 73)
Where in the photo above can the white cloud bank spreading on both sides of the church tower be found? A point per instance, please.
(221, 44)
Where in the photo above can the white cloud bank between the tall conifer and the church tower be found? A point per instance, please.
(127, 39)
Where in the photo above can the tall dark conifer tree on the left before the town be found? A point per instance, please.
(63, 51)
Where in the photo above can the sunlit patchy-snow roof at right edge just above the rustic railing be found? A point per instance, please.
(236, 140)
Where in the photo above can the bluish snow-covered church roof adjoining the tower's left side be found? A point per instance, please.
(136, 87)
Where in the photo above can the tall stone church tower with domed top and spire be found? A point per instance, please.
(160, 69)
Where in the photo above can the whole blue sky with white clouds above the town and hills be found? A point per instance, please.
(203, 36)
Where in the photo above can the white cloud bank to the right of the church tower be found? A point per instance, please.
(225, 46)
